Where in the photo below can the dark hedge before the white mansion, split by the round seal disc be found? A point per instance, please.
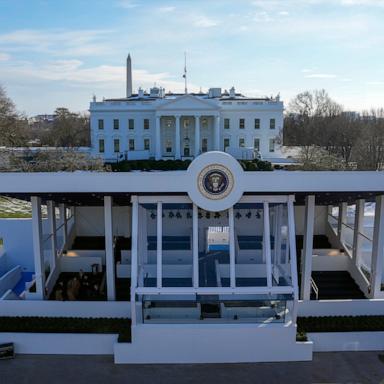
(179, 165)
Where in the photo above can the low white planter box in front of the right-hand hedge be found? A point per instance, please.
(347, 341)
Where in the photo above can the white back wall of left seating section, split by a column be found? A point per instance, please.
(90, 221)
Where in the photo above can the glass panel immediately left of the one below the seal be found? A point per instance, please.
(177, 269)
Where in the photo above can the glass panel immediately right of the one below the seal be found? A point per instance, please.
(250, 268)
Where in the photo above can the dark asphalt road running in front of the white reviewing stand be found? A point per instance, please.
(336, 367)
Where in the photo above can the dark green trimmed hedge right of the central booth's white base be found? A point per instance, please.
(340, 324)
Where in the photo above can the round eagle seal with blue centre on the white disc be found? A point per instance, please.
(215, 182)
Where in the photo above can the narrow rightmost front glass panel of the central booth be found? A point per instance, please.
(281, 268)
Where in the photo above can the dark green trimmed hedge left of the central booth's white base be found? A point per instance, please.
(67, 325)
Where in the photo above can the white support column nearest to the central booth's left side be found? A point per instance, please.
(109, 248)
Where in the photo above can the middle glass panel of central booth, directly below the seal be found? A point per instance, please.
(213, 249)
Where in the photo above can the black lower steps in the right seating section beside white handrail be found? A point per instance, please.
(335, 285)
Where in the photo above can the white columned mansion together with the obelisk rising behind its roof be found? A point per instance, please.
(163, 125)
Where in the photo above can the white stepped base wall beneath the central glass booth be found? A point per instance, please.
(212, 343)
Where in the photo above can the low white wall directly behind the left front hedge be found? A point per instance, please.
(110, 309)
